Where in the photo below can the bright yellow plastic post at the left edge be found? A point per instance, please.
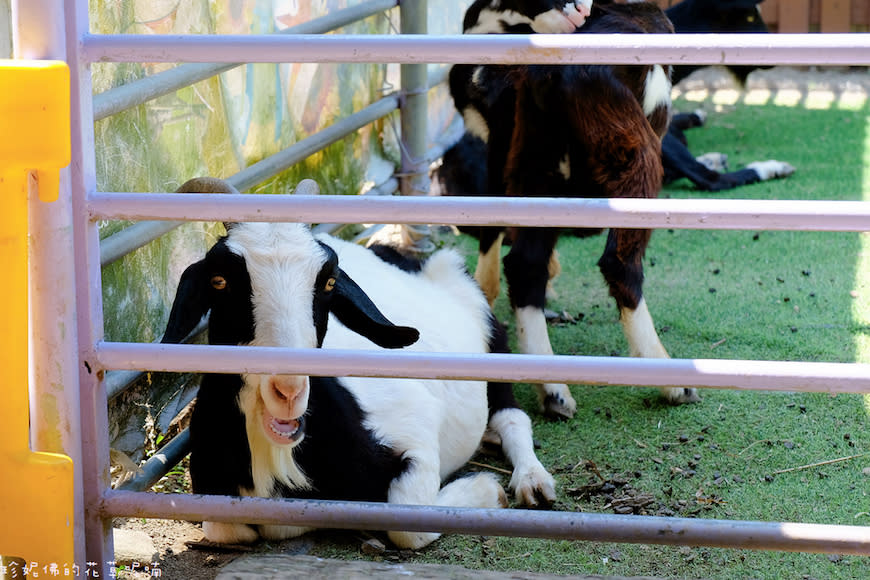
(36, 489)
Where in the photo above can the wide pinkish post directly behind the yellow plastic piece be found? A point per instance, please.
(38, 34)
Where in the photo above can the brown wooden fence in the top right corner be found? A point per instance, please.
(811, 15)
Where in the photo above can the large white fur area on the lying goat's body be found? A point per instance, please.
(444, 419)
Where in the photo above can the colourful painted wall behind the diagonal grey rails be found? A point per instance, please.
(218, 127)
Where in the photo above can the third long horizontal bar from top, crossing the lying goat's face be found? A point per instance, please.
(710, 373)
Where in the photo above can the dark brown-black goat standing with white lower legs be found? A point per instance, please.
(578, 130)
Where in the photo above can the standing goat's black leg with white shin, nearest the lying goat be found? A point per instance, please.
(527, 270)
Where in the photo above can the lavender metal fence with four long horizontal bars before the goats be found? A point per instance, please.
(70, 255)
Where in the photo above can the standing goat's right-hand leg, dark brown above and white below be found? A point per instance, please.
(622, 268)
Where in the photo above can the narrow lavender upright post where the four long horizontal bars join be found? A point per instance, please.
(88, 293)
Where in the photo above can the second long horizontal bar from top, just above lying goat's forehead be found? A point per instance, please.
(497, 211)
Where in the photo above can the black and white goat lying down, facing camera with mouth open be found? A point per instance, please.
(367, 439)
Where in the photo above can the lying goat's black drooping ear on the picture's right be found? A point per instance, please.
(355, 310)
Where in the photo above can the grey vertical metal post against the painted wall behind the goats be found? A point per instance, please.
(414, 114)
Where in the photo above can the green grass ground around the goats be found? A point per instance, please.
(733, 295)
